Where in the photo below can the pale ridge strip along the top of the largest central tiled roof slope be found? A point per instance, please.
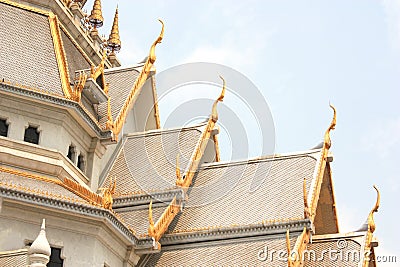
(306, 153)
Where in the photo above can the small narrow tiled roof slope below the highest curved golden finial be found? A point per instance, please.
(121, 82)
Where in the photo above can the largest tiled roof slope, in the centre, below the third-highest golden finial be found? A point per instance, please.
(222, 195)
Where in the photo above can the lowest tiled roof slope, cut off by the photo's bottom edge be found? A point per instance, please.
(237, 252)
